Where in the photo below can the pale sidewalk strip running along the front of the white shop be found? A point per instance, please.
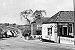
(67, 46)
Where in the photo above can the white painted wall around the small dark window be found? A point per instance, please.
(45, 31)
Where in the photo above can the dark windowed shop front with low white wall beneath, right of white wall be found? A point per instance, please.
(65, 33)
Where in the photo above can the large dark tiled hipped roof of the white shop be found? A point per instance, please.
(62, 16)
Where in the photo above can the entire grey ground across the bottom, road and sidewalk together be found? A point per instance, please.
(22, 44)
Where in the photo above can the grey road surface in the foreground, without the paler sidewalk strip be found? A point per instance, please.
(20, 44)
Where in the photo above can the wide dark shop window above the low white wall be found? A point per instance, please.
(66, 31)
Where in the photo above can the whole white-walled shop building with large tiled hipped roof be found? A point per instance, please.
(59, 28)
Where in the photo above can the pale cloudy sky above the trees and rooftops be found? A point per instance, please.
(10, 9)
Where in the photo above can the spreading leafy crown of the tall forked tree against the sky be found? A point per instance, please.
(34, 15)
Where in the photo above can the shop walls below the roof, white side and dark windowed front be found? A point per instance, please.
(63, 33)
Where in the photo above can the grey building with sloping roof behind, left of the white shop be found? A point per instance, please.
(36, 25)
